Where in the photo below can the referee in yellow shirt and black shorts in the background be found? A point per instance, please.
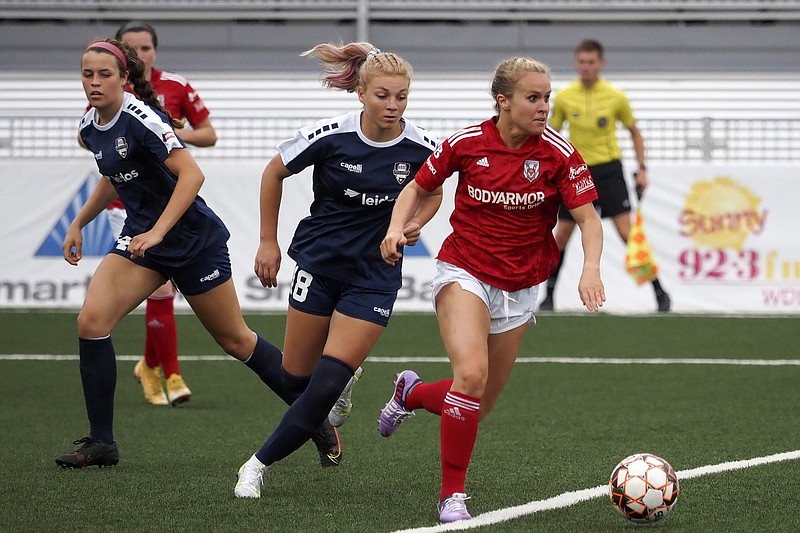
(592, 107)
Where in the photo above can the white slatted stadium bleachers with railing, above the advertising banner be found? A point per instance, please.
(732, 119)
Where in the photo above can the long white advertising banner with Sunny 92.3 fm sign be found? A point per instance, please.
(725, 239)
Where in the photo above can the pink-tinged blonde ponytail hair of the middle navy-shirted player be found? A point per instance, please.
(350, 66)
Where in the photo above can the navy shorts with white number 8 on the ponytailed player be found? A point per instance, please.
(316, 294)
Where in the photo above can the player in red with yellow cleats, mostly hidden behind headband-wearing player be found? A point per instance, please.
(178, 97)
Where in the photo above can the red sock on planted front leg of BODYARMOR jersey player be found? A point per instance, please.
(459, 429)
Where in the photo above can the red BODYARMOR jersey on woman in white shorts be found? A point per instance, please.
(506, 202)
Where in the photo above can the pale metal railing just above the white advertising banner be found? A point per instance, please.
(684, 141)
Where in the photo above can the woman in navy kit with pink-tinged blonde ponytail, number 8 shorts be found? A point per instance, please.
(342, 294)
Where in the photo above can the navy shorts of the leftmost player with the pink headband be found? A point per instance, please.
(211, 271)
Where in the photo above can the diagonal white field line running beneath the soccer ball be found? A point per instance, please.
(568, 499)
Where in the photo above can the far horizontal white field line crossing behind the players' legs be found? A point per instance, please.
(521, 360)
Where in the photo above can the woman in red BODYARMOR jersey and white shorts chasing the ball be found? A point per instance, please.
(513, 172)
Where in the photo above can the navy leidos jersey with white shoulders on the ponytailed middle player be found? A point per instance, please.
(356, 182)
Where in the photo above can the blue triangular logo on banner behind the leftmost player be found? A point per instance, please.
(97, 235)
